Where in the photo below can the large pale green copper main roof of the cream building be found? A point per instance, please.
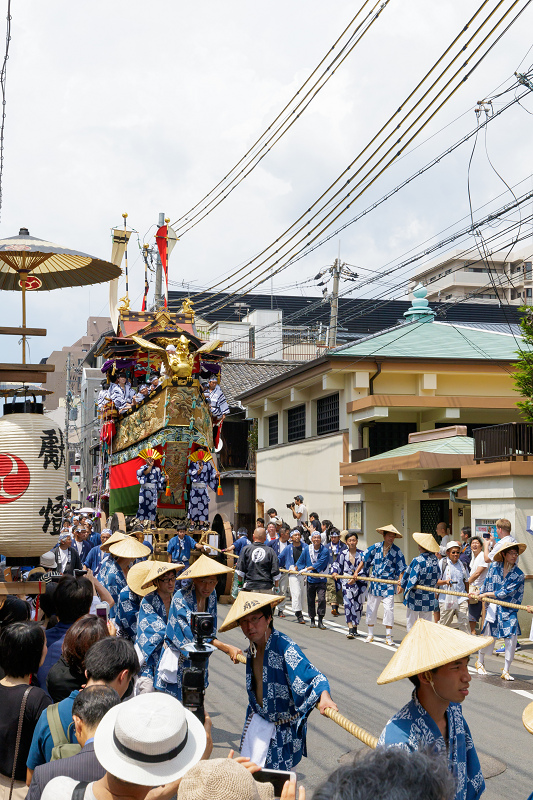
(426, 338)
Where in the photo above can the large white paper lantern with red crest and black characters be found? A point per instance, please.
(32, 483)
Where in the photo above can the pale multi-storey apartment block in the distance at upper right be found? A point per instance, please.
(507, 278)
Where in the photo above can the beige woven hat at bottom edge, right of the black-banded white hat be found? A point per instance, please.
(223, 779)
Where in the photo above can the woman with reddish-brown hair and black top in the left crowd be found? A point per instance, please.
(68, 674)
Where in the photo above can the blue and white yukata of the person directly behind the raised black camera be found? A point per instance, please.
(169, 673)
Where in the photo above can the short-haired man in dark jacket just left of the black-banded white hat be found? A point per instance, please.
(88, 710)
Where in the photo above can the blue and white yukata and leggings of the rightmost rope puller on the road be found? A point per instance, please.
(501, 622)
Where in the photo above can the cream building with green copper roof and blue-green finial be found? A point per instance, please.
(359, 431)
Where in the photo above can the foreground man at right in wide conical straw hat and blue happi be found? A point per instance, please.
(435, 659)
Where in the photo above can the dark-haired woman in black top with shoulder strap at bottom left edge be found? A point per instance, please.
(22, 651)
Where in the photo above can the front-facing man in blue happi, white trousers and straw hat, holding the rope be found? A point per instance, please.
(387, 561)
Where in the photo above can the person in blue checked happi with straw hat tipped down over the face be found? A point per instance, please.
(423, 570)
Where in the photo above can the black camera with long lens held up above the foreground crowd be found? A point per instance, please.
(198, 652)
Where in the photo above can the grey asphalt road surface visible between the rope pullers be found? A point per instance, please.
(493, 709)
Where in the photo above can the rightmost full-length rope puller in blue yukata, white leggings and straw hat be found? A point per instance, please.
(504, 581)
